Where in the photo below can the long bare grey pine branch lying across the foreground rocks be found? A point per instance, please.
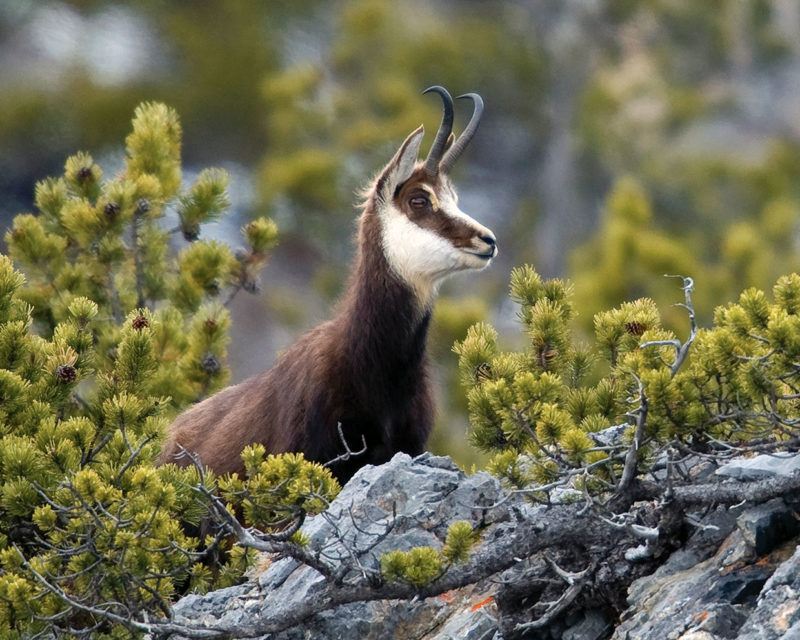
(556, 527)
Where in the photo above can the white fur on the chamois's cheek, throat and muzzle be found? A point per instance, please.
(423, 258)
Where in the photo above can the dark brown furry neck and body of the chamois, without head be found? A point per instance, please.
(365, 368)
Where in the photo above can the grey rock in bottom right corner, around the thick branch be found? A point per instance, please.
(747, 587)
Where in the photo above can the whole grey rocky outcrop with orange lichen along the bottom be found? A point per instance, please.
(736, 576)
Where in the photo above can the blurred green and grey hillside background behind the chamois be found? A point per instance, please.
(678, 104)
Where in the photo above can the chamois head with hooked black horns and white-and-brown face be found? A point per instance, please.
(425, 235)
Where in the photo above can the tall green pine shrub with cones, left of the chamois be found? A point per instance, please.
(104, 338)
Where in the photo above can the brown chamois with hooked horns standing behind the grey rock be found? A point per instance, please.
(365, 369)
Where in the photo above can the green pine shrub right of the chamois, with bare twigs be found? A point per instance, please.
(564, 414)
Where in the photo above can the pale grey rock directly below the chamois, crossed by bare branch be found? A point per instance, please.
(399, 505)
